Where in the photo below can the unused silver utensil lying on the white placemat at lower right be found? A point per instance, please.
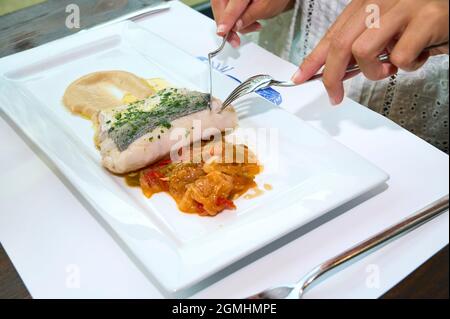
(297, 291)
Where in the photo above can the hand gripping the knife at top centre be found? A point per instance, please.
(242, 15)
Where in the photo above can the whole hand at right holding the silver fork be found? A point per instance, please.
(404, 27)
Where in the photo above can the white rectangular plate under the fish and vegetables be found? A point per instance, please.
(310, 173)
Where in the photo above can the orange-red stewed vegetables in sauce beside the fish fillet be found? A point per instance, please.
(206, 188)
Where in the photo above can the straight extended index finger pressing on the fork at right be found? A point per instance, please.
(316, 59)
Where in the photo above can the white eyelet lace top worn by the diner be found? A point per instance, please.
(417, 101)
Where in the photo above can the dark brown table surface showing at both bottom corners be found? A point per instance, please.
(429, 281)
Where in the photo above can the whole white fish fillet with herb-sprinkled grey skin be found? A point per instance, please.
(134, 136)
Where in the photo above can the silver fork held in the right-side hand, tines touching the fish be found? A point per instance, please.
(259, 82)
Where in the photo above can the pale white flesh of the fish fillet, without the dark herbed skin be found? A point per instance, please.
(147, 148)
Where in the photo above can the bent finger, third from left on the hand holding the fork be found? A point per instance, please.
(373, 42)
